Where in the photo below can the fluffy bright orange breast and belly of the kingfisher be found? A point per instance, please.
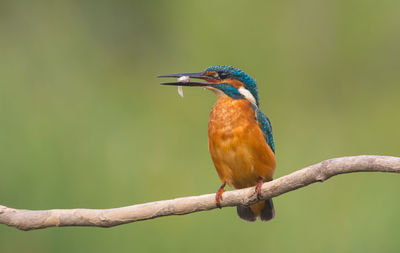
(237, 145)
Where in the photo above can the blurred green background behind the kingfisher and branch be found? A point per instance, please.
(84, 122)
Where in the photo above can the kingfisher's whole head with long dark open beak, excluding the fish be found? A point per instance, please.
(229, 80)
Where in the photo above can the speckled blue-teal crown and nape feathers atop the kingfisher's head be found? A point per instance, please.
(238, 74)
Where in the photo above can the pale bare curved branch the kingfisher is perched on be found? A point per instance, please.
(36, 219)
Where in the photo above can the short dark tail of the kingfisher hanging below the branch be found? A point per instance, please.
(263, 209)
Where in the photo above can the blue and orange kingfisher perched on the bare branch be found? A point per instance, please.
(240, 137)
